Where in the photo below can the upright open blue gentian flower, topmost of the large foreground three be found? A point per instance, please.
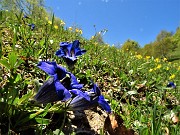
(70, 52)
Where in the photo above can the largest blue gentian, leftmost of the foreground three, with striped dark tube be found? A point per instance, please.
(61, 86)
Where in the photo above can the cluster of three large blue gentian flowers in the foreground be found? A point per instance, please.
(63, 85)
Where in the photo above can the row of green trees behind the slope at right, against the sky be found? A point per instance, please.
(165, 44)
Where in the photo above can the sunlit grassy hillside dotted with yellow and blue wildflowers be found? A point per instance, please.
(142, 91)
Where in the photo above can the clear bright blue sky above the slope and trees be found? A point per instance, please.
(138, 20)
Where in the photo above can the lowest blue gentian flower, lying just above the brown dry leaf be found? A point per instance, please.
(80, 103)
